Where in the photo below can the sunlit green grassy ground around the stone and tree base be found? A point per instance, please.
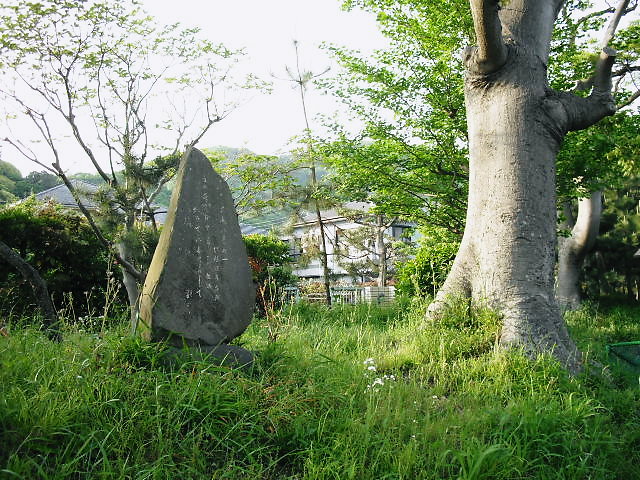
(352, 393)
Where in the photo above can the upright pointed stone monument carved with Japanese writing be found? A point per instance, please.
(198, 290)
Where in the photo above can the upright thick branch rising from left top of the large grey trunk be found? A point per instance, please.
(491, 52)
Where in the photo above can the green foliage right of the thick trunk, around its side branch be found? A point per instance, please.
(592, 160)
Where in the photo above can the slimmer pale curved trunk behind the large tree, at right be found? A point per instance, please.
(573, 250)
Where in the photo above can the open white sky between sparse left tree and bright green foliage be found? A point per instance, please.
(266, 29)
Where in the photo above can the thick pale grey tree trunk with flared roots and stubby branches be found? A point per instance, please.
(516, 124)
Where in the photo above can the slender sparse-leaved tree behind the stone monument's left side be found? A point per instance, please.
(131, 94)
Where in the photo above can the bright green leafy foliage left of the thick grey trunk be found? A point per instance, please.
(410, 157)
